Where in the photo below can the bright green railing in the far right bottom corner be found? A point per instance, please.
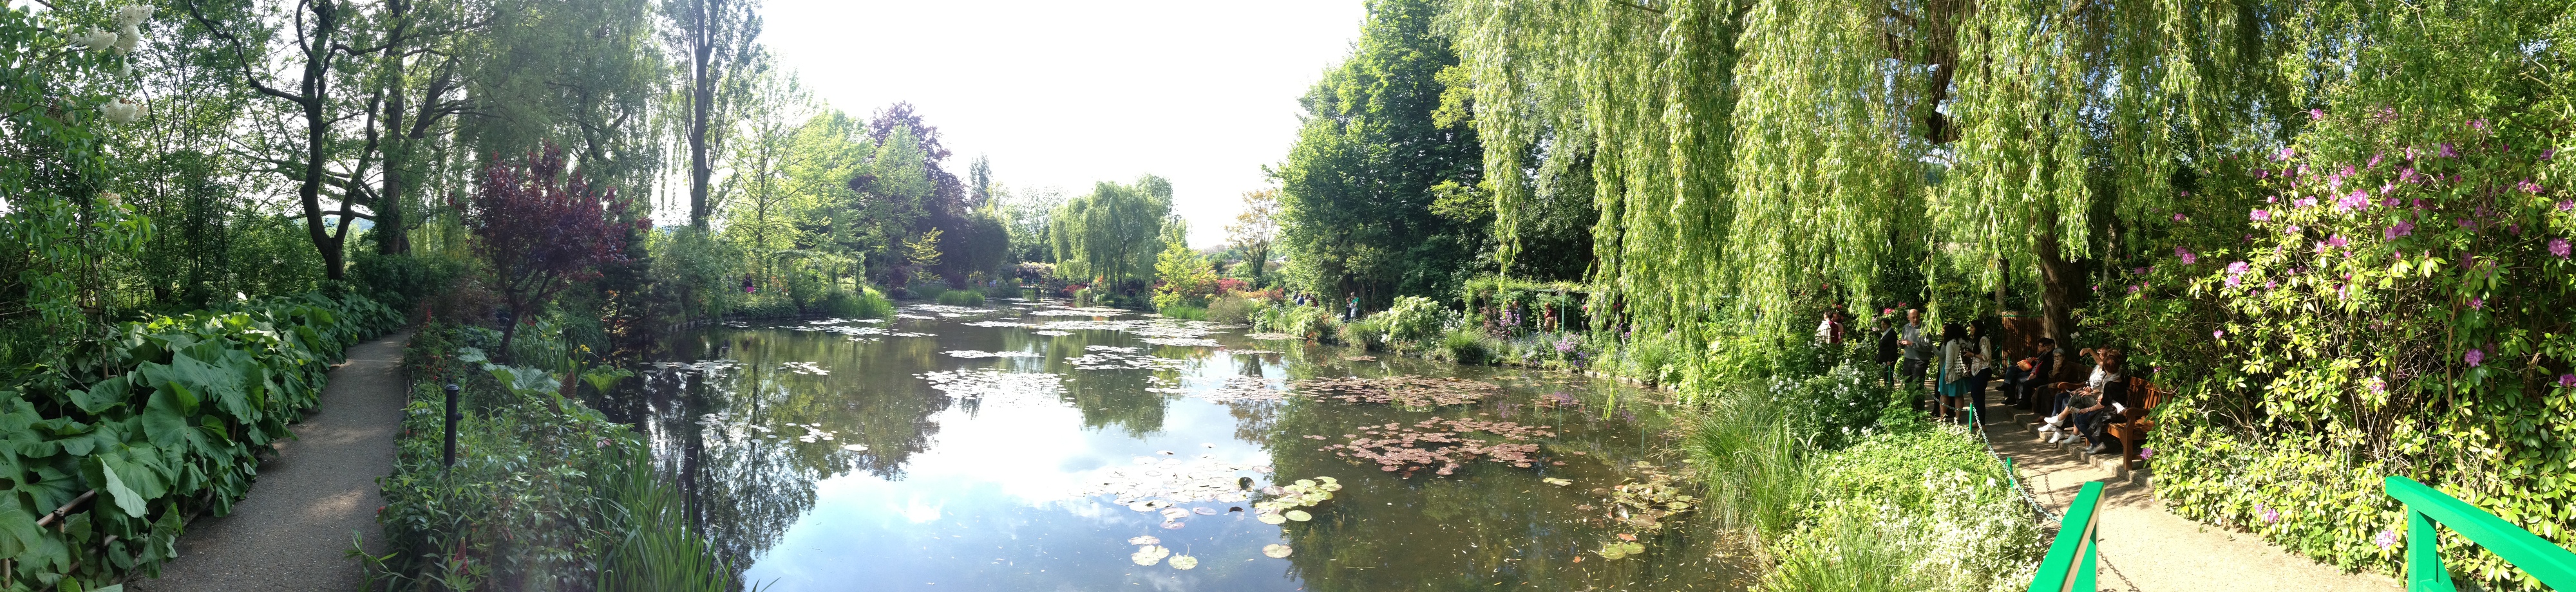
(2425, 573)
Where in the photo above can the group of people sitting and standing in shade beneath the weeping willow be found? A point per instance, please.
(1962, 362)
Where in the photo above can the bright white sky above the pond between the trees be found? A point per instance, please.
(1070, 94)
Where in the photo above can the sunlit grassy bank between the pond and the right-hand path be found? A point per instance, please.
(1848, 488)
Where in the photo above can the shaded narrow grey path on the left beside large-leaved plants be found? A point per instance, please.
(295, 529)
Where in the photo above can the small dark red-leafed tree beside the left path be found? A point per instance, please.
(545, 230)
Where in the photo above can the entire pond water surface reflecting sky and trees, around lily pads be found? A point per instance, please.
(988, 493)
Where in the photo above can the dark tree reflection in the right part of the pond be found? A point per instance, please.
(1480, 529)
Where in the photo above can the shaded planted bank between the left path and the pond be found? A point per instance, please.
(545, 493)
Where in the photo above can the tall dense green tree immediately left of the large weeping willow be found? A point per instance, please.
(1356, 210)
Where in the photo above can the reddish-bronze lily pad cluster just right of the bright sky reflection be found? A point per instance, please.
(1439, 444)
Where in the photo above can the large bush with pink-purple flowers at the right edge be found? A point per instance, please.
(2394, 297)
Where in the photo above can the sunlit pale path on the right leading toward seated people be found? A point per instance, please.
(2150, 550)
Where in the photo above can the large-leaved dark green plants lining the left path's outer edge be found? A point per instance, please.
(158, 423)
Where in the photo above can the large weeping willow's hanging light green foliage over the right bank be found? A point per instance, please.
(1763, 156)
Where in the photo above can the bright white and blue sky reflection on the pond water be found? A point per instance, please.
(993, 506)
